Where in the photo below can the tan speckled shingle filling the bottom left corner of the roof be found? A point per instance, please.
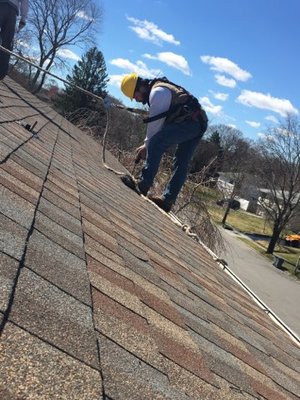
(31, 368)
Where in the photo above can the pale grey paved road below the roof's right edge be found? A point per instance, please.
(278, 290)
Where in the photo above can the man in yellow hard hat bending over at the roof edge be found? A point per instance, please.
(175, 118)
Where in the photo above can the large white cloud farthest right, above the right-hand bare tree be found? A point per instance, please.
(266, 102)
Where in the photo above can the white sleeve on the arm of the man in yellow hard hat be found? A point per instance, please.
(159, 101)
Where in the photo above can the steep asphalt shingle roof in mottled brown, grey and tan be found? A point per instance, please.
(102, 296)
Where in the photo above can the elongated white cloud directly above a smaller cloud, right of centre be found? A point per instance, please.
(226, 66)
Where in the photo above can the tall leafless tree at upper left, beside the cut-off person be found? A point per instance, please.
(57, 25)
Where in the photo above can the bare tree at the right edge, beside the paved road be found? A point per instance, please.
(279, 172)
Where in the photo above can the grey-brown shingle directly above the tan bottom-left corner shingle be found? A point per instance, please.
(52, 315)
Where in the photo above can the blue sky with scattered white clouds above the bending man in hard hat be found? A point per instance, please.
(240, 58)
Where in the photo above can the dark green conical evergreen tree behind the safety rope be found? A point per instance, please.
(90, 74)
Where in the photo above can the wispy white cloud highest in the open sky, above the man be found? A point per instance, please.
(147, 30)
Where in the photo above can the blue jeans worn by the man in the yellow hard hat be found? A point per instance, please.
(187, 136)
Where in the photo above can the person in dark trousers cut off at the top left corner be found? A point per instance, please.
(9, 10)
